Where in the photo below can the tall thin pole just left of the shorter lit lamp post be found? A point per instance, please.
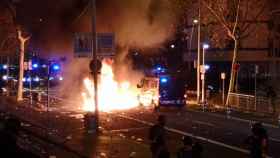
(198, 55)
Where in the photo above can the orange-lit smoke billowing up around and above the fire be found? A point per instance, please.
(136, 24)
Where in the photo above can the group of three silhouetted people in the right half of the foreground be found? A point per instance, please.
(257, 142)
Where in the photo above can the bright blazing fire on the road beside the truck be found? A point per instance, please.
(112, 95)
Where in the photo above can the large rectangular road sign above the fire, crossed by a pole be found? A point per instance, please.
(83, 45)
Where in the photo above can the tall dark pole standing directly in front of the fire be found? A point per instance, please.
(94, 56)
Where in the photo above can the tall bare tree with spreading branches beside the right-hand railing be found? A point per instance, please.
(236, 18)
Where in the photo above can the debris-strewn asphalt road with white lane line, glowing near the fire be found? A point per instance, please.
(220, 137)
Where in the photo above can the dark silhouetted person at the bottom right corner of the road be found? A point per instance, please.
(258, 141)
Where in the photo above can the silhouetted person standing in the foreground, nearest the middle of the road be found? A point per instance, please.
(157, 136)
